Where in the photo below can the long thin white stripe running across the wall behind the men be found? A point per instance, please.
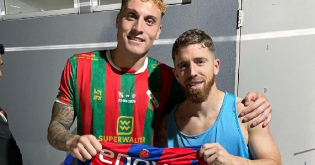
(246, 37)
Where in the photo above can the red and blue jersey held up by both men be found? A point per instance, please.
(132, 154)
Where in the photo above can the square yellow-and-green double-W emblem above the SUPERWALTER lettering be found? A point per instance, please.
(125, 125)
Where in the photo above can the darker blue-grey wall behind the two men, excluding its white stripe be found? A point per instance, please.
(31, 78)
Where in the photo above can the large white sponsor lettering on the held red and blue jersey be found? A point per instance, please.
(109, 157)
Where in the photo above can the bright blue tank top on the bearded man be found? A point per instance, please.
(226, 130)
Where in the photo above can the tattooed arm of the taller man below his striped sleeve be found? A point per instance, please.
(58, 131)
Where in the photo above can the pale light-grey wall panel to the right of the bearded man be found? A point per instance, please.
(277, 59)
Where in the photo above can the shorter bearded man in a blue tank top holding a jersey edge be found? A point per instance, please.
(209, 116)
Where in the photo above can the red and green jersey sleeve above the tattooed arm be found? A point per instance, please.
(65, 94)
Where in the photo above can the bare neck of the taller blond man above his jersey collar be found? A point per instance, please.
(127, 60)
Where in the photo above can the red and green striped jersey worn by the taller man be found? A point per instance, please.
(114, 105)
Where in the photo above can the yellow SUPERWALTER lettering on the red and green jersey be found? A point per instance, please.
(122, 139)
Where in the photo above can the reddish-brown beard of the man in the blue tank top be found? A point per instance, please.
(198, 95)
